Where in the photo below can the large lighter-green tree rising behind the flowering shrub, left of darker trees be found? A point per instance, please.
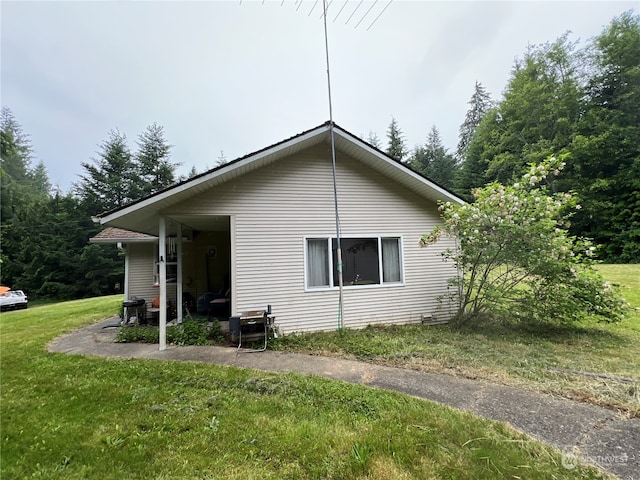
(536, 118)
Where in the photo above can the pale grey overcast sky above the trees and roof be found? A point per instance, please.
(237, 76)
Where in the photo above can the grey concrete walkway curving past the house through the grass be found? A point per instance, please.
(589, 433)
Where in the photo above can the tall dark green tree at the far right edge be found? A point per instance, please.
(606, 151)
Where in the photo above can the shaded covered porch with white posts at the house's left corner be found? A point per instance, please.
(180, 265)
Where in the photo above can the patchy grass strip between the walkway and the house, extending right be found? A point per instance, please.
(546, 360)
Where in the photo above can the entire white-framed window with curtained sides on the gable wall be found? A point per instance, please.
(365, 260)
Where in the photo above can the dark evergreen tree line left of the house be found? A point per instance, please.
(45, 232)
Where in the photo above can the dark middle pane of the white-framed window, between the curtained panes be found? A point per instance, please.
(359, 260)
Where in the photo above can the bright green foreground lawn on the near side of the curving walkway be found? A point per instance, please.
(78, 417)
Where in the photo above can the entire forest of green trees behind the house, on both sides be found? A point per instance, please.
(582, 103)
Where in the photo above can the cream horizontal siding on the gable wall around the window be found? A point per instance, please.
(274, 208)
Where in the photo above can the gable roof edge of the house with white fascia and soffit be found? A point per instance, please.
(142, 215)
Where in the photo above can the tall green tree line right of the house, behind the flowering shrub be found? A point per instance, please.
(581, 103)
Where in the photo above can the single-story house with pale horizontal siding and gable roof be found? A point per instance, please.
(263, 227)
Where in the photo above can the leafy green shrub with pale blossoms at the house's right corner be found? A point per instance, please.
(515, 259)
